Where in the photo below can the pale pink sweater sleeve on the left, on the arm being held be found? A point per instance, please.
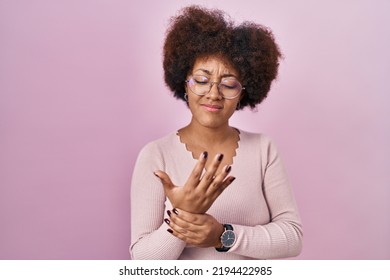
(149, 236)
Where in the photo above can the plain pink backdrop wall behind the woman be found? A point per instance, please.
(81, 91)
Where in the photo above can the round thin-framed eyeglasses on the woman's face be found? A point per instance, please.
(229, 87)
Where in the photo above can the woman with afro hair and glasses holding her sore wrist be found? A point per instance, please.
(185, 204)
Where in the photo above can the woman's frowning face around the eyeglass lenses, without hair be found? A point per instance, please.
(212, 110)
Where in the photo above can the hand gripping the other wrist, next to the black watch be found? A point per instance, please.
(200, 230)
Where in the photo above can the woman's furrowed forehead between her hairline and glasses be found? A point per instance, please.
(214, 66)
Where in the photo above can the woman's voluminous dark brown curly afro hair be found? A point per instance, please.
(199, 32)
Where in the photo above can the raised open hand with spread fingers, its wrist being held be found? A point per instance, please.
(199, 192)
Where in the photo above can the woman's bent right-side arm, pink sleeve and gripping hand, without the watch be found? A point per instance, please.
(280, 238)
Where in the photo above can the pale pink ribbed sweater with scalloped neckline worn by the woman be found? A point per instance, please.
(259, 204)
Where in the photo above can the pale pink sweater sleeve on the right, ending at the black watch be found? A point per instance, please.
(281, 237)
